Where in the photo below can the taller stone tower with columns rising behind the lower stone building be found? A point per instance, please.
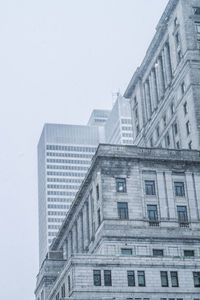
(165, 90)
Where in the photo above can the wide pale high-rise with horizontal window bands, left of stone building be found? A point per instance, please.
(64, 156)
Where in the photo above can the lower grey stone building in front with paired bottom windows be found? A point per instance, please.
(132, 232)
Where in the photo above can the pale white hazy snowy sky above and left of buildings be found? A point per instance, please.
(58, 61)
